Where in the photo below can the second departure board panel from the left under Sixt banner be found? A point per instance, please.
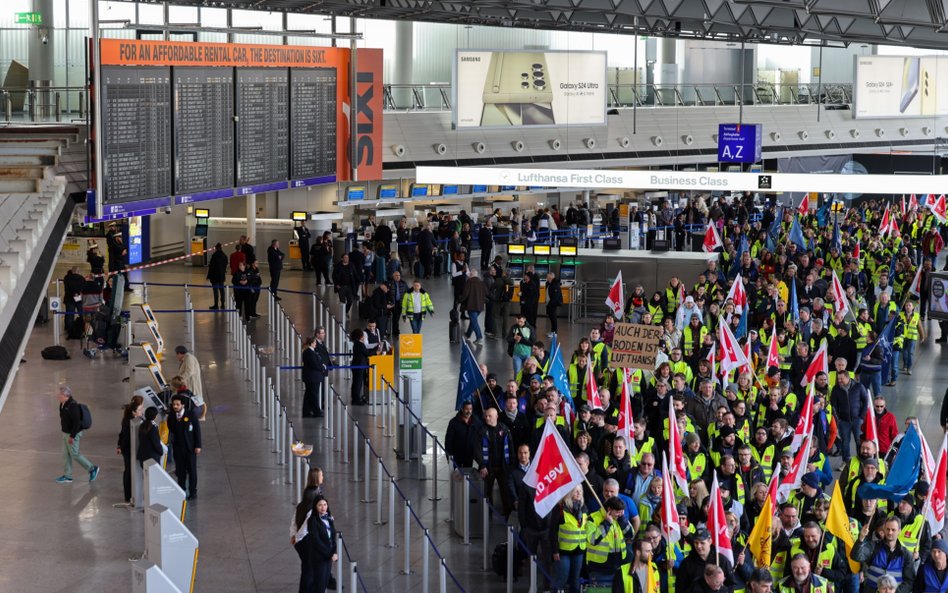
(203, 129)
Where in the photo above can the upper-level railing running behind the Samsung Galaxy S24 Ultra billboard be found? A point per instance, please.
(437, 96)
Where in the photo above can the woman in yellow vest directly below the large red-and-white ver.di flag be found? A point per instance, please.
(572, 525)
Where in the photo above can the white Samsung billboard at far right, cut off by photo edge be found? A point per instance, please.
(900, 86)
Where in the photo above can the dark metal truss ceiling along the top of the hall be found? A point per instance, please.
(915, 23)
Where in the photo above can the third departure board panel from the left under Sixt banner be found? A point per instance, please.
(262, 126)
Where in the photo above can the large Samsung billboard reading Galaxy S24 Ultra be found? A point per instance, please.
(498, 89)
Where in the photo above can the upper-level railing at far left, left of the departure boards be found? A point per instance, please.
(44, 104)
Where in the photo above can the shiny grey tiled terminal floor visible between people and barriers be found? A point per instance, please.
(69, 538)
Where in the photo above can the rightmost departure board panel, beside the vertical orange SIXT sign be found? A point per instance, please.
(313, 122)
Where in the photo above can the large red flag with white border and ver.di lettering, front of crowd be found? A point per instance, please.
(553, 471)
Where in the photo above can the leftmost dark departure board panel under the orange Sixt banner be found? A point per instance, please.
(136, 132)
